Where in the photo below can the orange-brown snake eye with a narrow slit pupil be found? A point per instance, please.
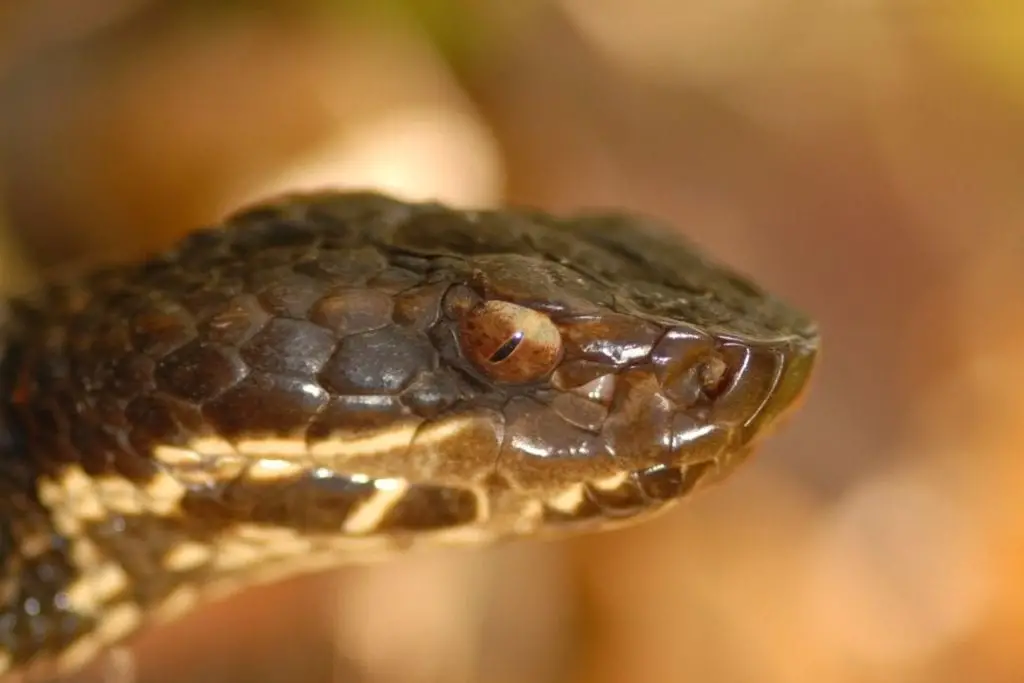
(510, 344)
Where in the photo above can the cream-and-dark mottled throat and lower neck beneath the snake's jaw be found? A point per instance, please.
(83, 567)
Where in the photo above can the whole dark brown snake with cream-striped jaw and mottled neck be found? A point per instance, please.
(333, 377)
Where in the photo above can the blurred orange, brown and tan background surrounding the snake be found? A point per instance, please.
(863, 158)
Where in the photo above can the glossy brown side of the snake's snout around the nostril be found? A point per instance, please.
(704, 399)
